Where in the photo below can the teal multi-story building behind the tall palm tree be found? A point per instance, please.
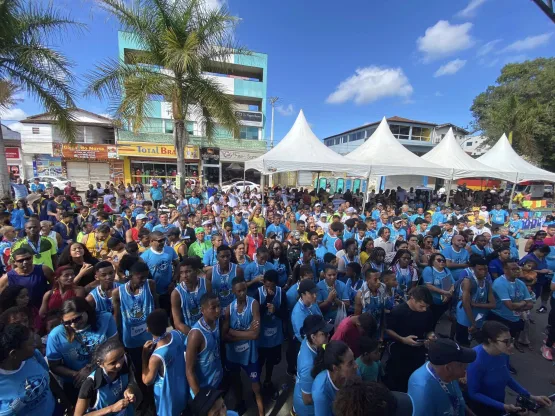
(152, 153)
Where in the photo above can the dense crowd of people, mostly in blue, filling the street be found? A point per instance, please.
(119, 304)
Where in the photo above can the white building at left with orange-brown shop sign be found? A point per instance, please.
(92, 158)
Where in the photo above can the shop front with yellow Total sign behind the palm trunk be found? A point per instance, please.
(143, 162)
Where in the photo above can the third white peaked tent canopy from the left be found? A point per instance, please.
(449, 154)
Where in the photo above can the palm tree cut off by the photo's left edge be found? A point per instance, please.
(26, 63)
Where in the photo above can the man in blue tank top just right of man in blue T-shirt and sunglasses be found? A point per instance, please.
(186, 296)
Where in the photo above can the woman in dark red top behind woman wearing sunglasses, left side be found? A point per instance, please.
(64, 288)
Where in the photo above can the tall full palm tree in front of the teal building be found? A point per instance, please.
(179, 40)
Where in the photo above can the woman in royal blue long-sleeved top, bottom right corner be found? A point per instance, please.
(488, 376)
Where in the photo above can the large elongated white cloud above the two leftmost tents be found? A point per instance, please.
(371, 84)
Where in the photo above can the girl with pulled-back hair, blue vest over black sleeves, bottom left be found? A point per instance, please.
(111, 386)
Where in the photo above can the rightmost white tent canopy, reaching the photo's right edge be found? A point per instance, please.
(503, 157)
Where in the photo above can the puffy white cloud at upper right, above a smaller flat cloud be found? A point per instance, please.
(444, 39)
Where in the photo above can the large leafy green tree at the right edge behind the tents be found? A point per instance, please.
(521, 104)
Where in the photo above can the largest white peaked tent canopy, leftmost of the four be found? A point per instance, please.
(301, 150)
